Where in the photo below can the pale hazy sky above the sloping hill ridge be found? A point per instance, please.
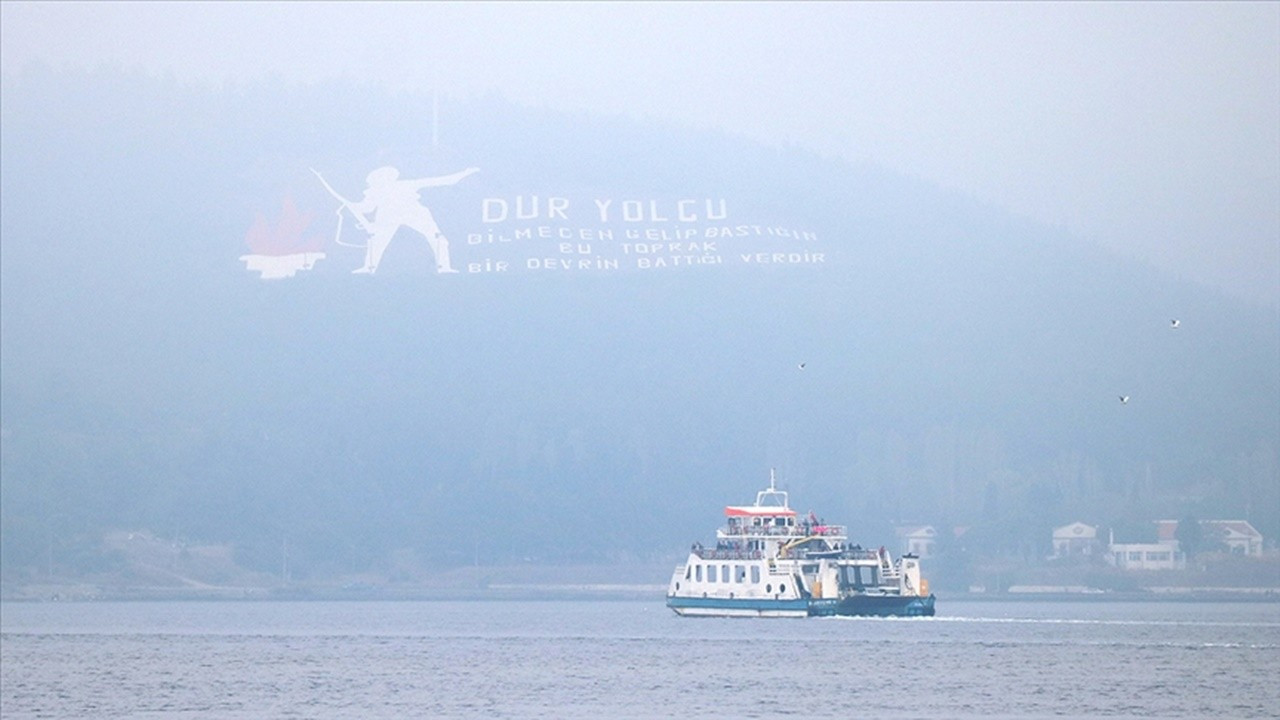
(1151, 129)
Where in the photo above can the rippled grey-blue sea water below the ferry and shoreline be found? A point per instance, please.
(514, 659)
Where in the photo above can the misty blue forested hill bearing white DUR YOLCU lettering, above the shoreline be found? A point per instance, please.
(618, 357)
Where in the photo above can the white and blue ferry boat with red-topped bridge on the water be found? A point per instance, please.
(771, 563)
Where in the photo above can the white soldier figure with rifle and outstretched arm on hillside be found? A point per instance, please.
(395, 204)
